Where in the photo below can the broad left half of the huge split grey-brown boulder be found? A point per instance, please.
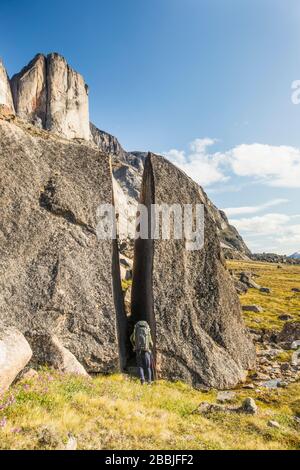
(55, 274)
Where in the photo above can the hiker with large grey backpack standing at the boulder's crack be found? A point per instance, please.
(142, 343)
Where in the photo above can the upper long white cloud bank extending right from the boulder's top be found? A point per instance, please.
(277, 166)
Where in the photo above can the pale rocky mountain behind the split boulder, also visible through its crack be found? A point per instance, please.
(51, 95)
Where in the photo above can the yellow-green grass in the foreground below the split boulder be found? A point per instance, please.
(115, 412)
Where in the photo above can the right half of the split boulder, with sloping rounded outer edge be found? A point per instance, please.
(188, 296)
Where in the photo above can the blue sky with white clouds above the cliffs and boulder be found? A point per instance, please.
(206, 82)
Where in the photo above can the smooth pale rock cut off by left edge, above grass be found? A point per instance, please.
(15, 353)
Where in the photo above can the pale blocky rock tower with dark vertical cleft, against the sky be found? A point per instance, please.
(49, 93)
